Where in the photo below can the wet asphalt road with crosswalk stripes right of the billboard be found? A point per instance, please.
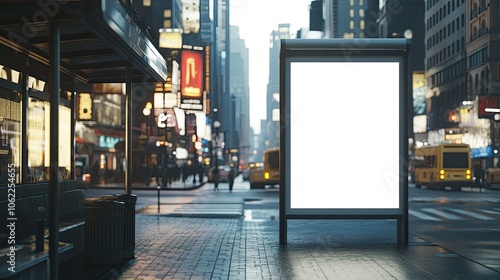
(464, 222)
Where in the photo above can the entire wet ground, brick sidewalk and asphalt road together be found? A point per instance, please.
(209, 234)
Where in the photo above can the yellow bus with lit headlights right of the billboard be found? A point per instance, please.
(443, 165)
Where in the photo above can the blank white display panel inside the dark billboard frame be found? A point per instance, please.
(345, 134)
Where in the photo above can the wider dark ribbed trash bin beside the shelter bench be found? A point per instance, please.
(104, 220)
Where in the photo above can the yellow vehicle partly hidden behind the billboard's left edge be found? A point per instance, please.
(269, 174)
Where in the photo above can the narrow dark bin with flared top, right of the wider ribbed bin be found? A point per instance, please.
(129, 224)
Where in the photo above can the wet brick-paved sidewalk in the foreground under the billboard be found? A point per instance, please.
(236, 248)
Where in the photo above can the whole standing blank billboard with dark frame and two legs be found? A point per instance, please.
(344, 130)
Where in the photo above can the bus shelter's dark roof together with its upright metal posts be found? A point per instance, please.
(70, 43)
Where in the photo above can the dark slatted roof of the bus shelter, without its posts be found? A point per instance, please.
(98, 39)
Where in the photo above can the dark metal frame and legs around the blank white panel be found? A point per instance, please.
(346, 50)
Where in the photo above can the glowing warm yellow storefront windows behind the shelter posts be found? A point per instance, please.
(38, 132)
